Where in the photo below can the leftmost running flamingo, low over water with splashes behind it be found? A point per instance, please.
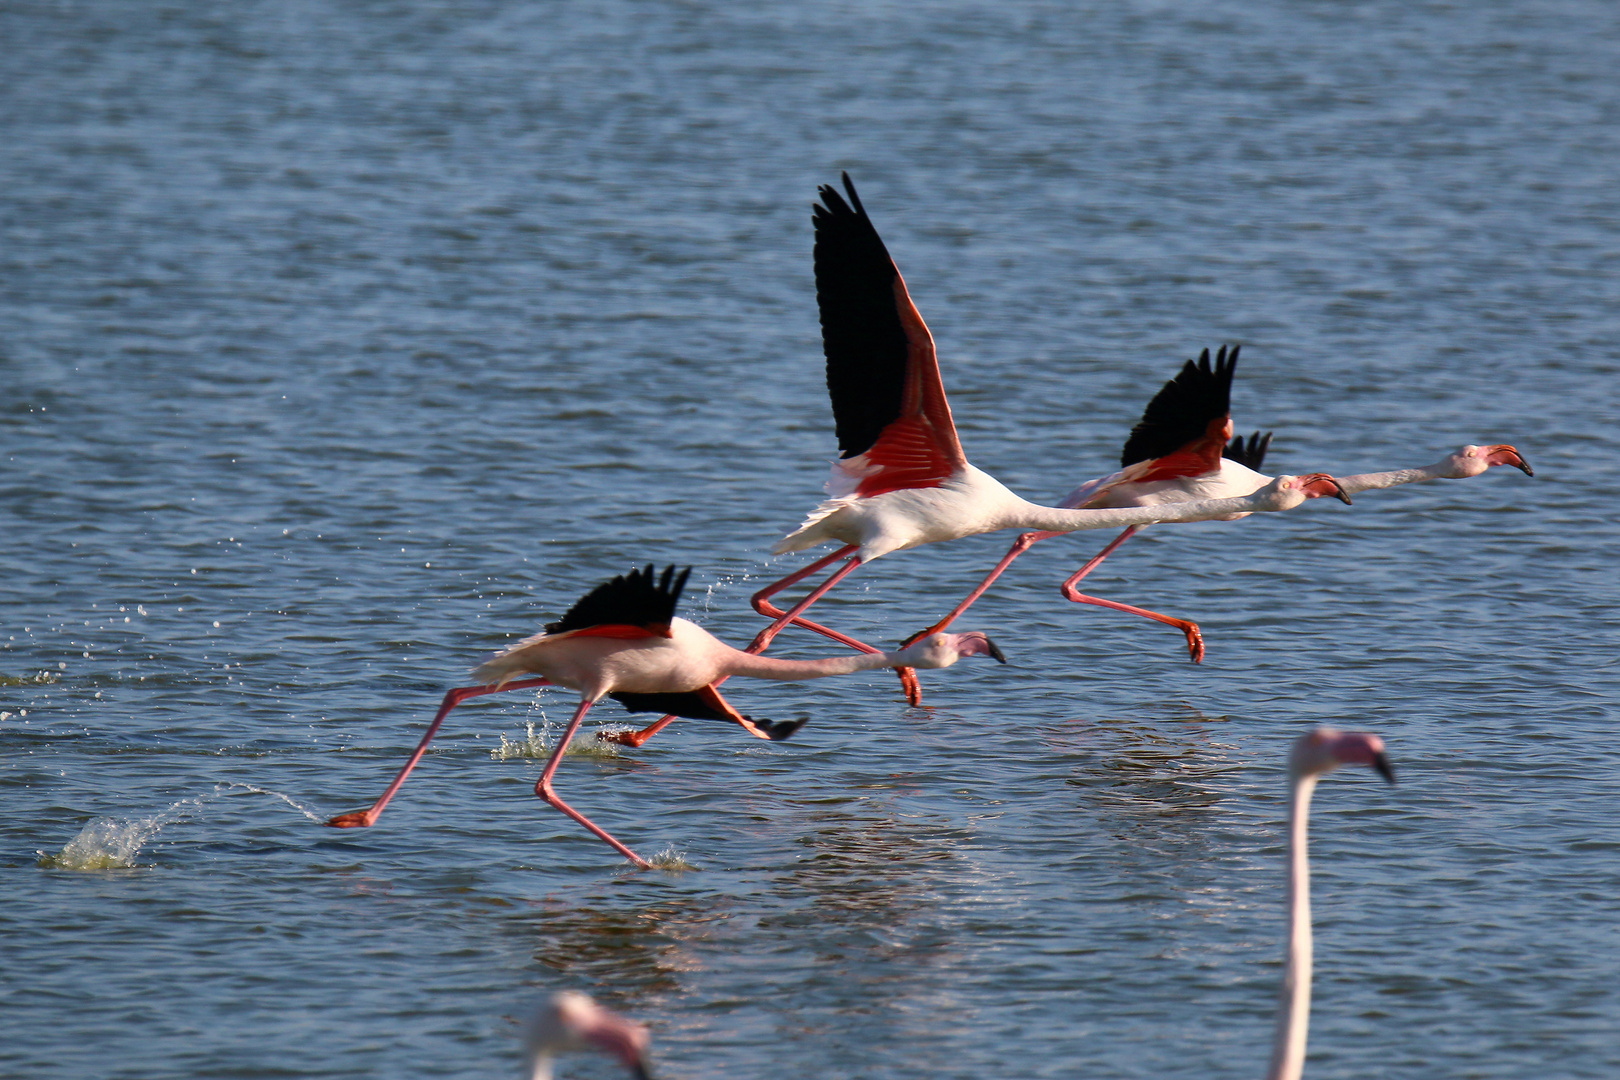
(623, 640)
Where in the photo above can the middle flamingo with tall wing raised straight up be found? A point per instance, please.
(903, 478)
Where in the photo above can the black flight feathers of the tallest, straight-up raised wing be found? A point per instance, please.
(861, 325)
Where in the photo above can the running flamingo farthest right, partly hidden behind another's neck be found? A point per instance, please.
(1183, 449)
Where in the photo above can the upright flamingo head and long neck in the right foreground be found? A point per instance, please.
(1313, 757)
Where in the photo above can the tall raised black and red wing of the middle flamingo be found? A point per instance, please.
(893, 422)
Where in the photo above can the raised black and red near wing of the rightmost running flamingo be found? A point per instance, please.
(1188, 423)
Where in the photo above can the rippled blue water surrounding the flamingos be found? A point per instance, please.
(346, 342)
